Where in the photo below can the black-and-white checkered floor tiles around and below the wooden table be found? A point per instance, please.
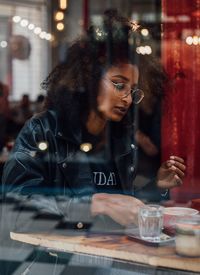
(22, 259)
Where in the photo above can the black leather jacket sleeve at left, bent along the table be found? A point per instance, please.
(27, 175)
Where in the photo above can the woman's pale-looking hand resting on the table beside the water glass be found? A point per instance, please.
(121, 208)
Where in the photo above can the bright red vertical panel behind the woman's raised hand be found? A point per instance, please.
(181, 107)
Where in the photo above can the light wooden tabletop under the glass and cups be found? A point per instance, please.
(115, 247)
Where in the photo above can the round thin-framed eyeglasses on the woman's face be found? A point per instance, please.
(124, 89)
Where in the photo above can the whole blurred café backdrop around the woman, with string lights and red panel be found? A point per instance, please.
(35, 35)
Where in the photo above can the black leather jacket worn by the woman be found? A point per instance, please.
(61, 171)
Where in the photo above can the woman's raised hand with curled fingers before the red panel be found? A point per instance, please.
(171, 173)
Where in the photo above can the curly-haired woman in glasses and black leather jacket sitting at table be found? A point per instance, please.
(80, 152)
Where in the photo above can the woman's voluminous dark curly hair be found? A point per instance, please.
(73, 85)
